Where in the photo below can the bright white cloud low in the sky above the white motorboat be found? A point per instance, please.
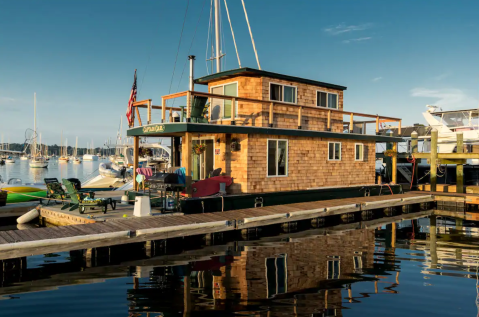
(449, 98)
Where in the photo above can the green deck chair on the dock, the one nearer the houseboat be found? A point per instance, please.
(85, 200)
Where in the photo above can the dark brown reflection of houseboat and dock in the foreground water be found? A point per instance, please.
(318, 272)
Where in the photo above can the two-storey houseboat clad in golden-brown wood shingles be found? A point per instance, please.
(282, 139)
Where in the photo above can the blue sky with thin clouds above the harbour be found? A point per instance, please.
(79, 56)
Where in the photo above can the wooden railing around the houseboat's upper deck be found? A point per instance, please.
(190, 94)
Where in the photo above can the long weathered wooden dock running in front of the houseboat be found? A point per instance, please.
(18, 243)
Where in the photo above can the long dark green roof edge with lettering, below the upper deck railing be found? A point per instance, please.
(179, 128)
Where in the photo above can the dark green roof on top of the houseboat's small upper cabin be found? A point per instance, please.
(246, 71)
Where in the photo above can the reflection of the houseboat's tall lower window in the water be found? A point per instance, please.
(276, 275)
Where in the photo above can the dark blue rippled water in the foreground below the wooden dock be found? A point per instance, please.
(335, 271)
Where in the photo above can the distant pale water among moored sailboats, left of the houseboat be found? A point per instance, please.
(21, 169)
